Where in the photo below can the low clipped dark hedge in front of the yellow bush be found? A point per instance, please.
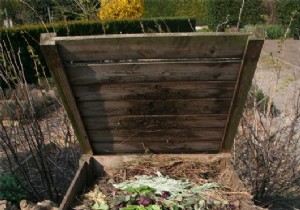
(26, 39)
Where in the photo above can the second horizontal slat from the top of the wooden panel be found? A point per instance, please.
(82, 74)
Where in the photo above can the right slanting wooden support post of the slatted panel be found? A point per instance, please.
(251, 57)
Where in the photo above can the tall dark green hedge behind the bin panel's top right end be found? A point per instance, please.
(221, 11)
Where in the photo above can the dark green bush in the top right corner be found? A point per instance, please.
(288, 14)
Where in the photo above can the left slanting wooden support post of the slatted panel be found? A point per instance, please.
(56, 66)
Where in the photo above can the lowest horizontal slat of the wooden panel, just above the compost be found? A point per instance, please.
(157, 147)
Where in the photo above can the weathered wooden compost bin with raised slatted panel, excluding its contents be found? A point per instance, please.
(173, 93)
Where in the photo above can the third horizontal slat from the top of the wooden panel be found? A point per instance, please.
(154, 91)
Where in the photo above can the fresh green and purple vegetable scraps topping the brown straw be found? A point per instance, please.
(155, 193)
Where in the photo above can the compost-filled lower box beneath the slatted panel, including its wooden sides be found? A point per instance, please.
(157, 182)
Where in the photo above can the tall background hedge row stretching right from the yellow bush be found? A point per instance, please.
(223, 14)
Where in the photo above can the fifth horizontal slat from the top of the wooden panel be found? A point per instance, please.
(159, 121)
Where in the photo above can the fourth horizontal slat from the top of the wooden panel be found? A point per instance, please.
(153, 107)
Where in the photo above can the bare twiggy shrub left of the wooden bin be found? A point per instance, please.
(24, 136)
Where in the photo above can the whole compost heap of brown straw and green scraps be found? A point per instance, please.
(166, 183)
